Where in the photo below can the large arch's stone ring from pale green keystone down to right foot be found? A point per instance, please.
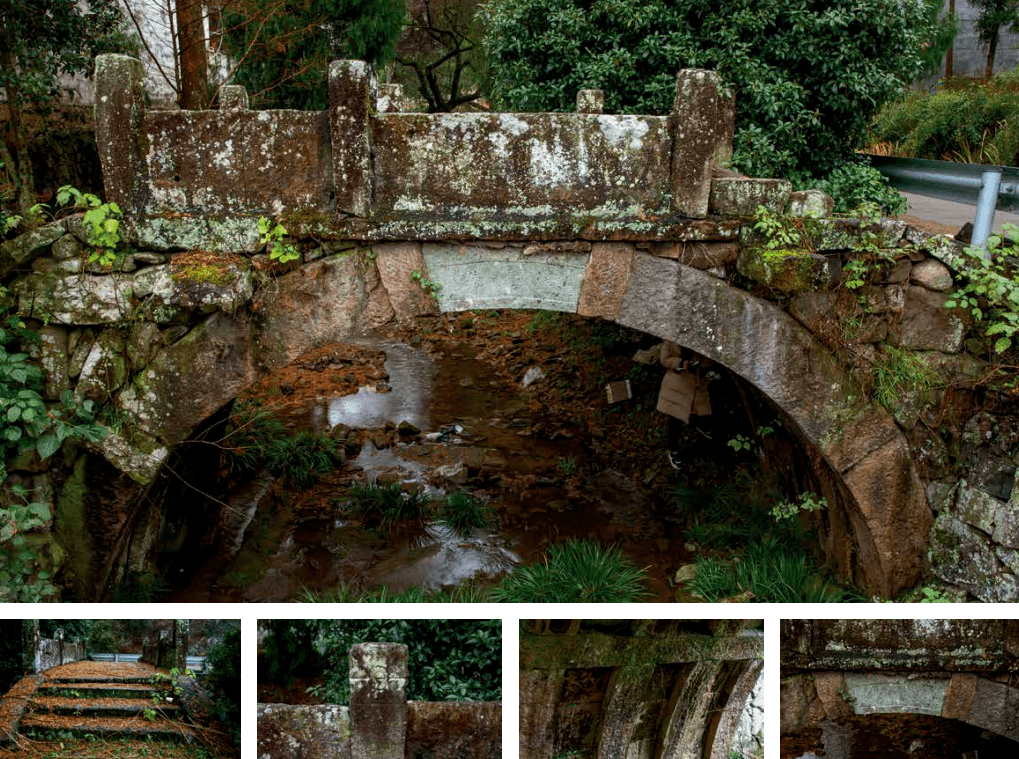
(888, 512)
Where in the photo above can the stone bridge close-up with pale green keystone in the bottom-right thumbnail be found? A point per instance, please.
(837, 673)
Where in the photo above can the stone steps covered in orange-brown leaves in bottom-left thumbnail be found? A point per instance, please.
(92, 698)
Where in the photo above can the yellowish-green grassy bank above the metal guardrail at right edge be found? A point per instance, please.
(974, 123)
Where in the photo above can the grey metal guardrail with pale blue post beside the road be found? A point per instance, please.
(989, 188)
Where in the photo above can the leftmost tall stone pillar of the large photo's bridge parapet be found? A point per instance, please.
(120, 121)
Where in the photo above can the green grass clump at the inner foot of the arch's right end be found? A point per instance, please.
(766, 574)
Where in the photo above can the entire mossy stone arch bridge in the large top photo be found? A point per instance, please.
(626, 219)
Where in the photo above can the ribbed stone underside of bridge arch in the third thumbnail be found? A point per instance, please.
(623, 688)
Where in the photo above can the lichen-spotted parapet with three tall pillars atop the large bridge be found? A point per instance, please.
(361, 173)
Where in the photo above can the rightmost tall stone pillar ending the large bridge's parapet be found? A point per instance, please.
(694, 128)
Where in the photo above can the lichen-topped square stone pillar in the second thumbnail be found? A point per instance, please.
(379, 701)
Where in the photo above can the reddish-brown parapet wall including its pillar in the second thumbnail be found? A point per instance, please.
(381, 724)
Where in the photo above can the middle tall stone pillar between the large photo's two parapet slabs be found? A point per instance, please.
(353, 100)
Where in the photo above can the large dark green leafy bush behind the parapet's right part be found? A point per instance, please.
(808, 75)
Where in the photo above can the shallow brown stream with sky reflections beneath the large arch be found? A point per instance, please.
(475, 424)
